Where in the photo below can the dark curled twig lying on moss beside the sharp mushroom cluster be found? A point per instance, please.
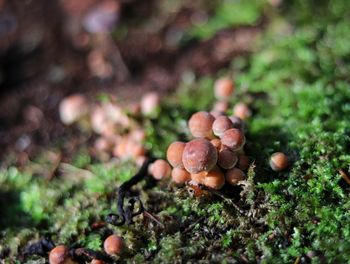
(125, 216)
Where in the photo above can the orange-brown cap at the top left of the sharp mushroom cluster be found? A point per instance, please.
(200, 124)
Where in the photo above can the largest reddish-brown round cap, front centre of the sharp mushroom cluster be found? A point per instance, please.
(199, 155)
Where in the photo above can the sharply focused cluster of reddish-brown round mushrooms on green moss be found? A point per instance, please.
(215, 156)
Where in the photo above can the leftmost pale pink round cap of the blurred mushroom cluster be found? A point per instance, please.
(73, 108)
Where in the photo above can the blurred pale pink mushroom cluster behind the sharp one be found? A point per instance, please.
(118, 126)
